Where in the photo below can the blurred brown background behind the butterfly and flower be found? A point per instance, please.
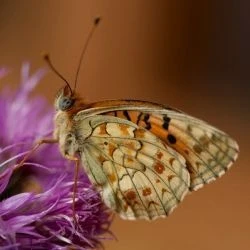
(188, 54)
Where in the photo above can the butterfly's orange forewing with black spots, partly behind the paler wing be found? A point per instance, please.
(208, 151)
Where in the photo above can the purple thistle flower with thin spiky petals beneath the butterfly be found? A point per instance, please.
(36, 198)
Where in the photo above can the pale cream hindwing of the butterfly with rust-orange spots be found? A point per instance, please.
(139, 175)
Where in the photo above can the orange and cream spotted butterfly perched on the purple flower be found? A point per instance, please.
(142, 157)
